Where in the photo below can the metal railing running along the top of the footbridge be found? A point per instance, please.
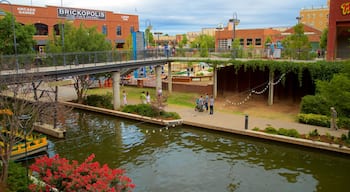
(12, 62)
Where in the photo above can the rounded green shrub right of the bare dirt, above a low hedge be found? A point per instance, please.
(314, 105)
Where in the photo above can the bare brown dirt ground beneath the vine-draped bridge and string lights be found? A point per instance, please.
(257, 106)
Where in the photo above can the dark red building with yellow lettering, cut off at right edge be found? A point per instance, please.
(338, 41)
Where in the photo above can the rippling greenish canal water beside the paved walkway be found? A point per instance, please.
(191, 159)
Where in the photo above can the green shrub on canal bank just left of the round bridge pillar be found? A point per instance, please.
(103, 101)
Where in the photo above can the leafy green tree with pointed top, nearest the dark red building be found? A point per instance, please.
(297, 45)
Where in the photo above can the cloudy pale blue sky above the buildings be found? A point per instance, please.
(181, 16)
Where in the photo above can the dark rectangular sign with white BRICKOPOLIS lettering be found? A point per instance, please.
(81, 13)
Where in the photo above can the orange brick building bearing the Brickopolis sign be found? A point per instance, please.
(117, 27)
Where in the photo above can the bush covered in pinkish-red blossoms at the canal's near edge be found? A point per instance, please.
(68, 176)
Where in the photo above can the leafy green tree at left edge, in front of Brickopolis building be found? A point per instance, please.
(24, 36)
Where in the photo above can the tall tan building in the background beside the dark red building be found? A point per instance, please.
(316, 17)
